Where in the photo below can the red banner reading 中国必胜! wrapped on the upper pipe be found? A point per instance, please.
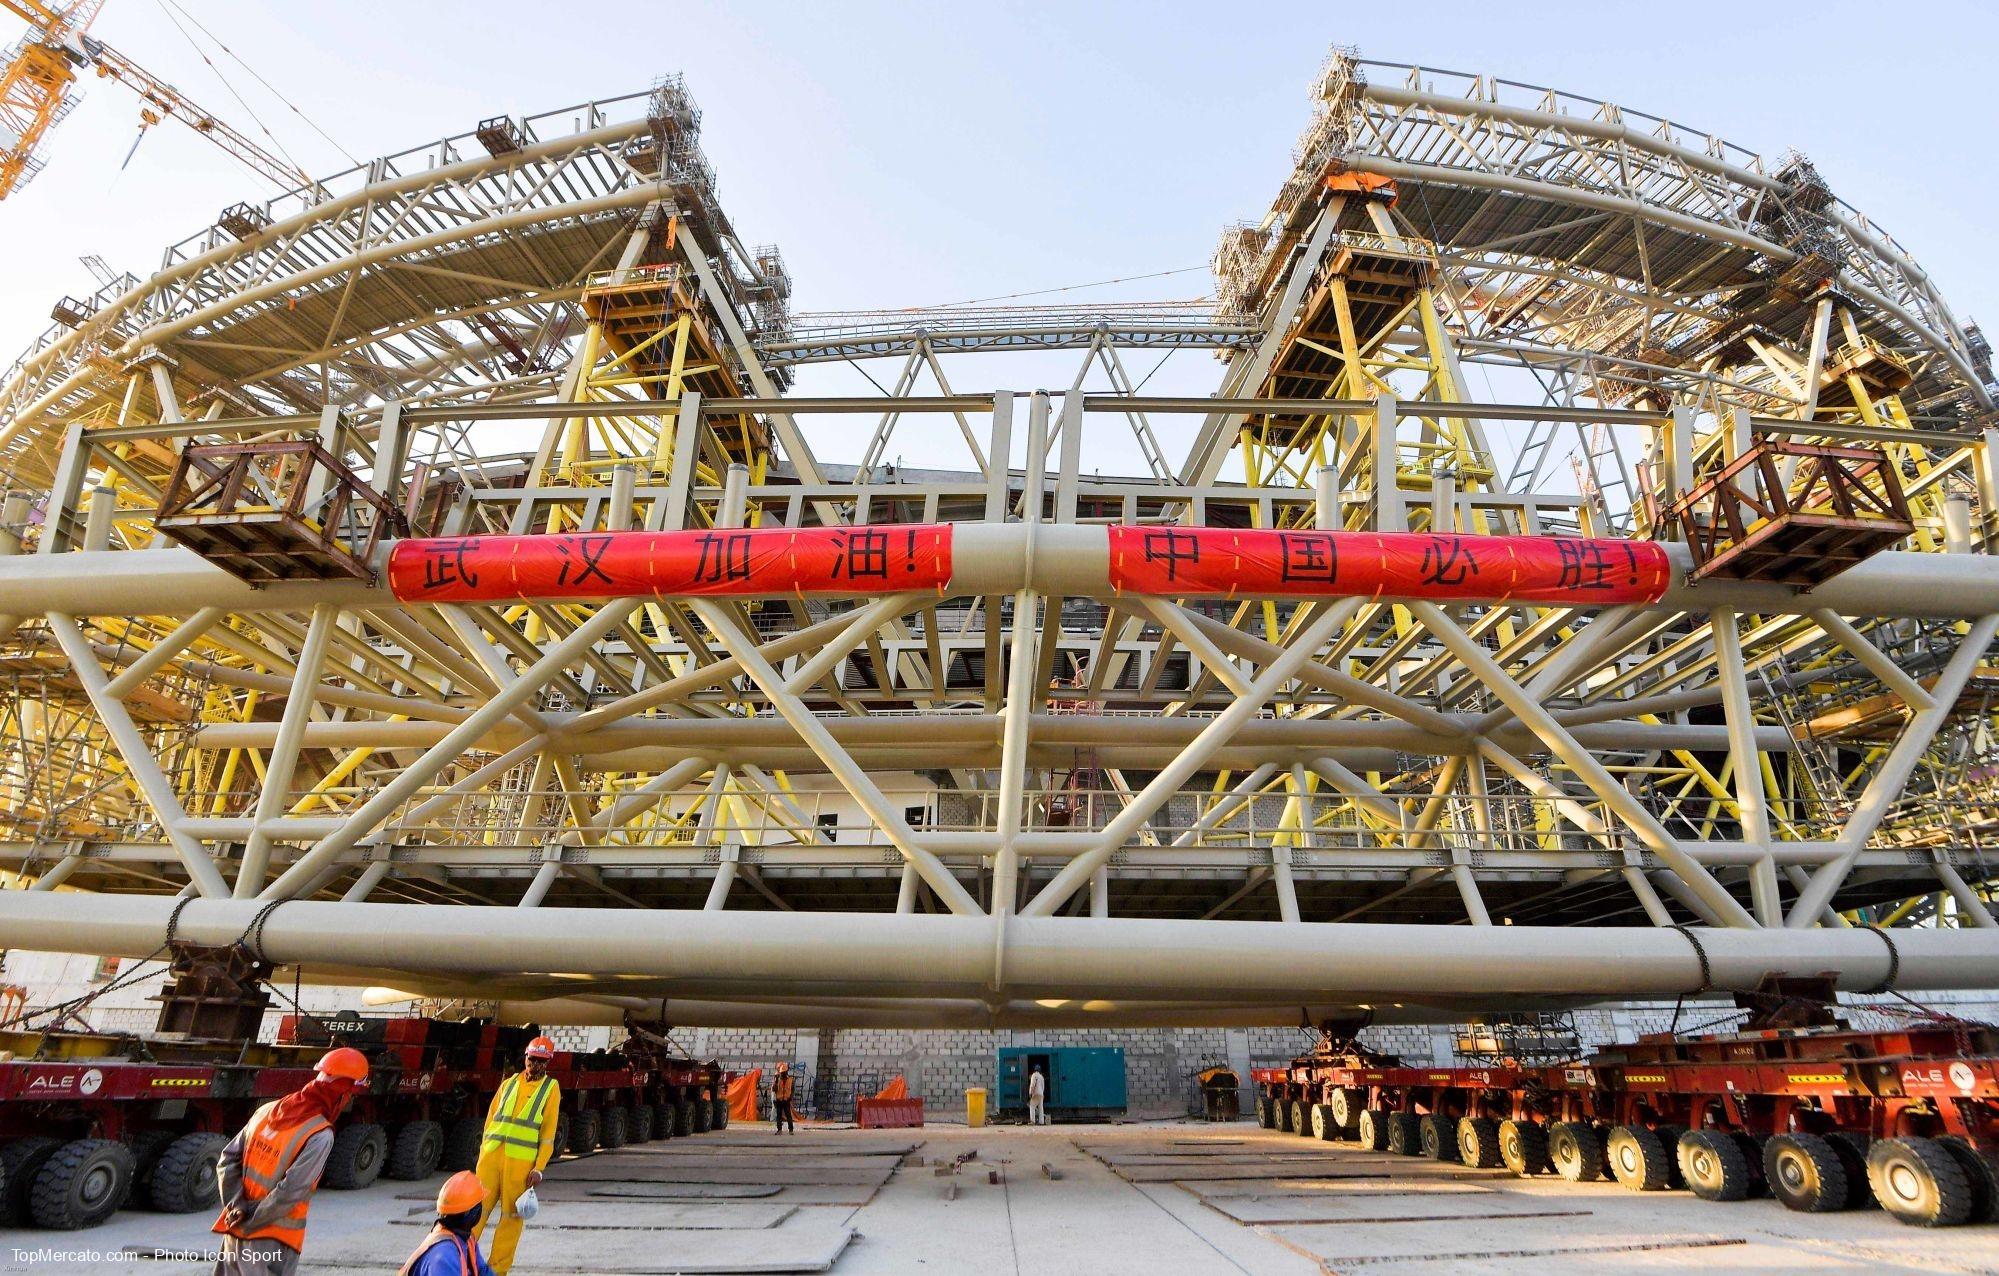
(1180, 563)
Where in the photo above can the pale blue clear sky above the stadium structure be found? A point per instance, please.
(909, 155)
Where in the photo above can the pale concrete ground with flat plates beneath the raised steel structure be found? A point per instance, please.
(1108, 1199)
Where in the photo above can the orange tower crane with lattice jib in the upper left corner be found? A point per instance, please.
(37, 95)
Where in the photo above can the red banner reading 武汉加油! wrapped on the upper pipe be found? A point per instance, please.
(629, 565)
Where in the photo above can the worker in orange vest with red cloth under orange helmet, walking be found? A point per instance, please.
(267, 1175)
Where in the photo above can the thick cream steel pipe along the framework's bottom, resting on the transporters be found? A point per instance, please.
(857, 955)
